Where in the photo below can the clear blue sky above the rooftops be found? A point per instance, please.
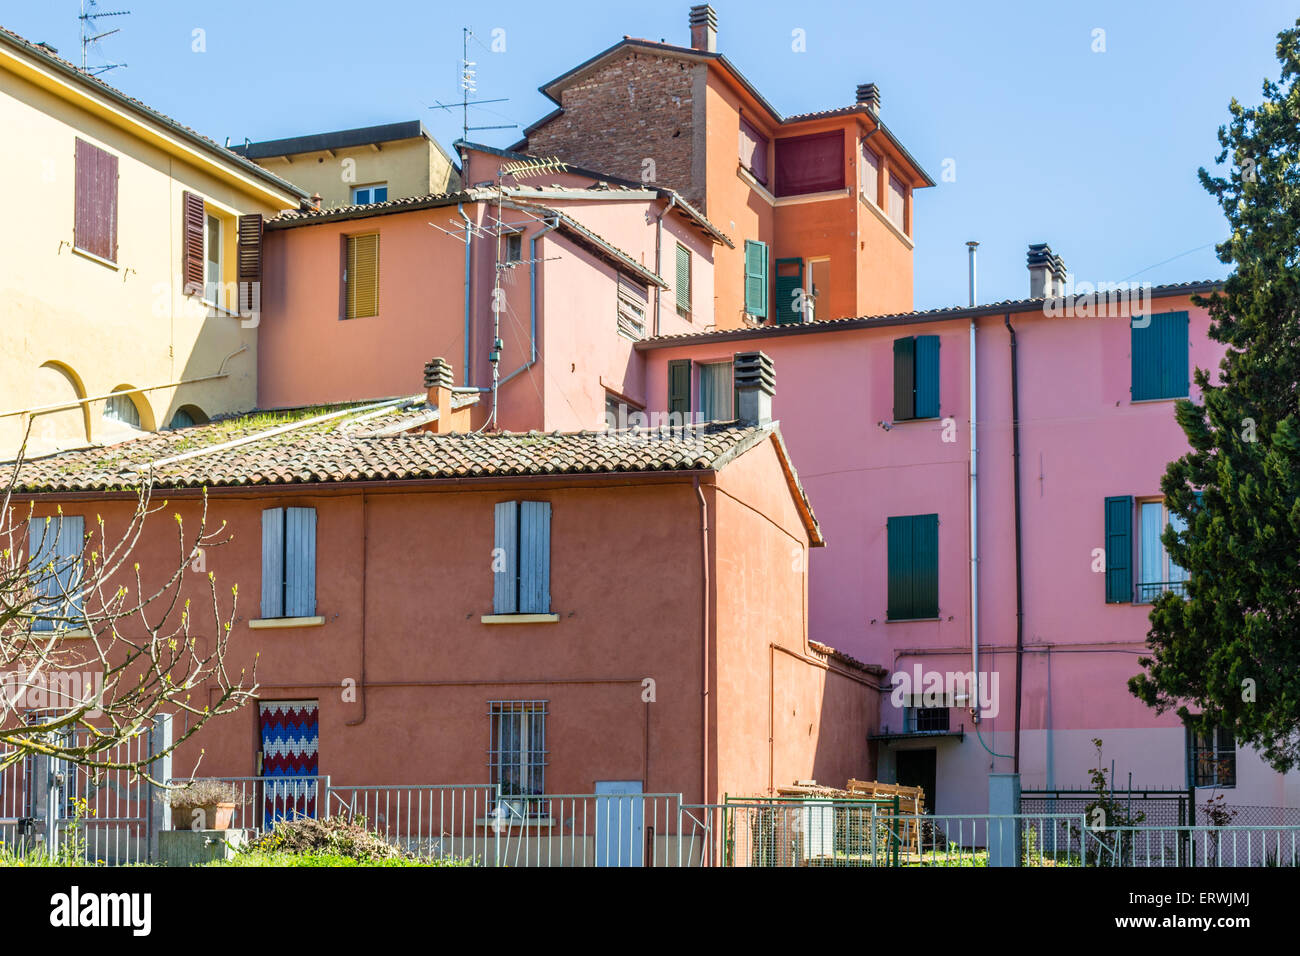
(1095, 153)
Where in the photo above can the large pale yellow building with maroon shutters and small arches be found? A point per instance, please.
(125, 239)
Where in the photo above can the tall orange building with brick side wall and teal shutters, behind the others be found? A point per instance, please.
(820, 205)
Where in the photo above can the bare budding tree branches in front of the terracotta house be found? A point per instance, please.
(99, 651)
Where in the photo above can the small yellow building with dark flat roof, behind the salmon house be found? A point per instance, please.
(371, 165)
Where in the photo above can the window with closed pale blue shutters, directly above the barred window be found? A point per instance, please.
(522, 559)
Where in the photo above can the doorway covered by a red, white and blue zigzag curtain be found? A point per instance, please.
(291, 734)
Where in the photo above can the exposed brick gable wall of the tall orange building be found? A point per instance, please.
(635, 109)
